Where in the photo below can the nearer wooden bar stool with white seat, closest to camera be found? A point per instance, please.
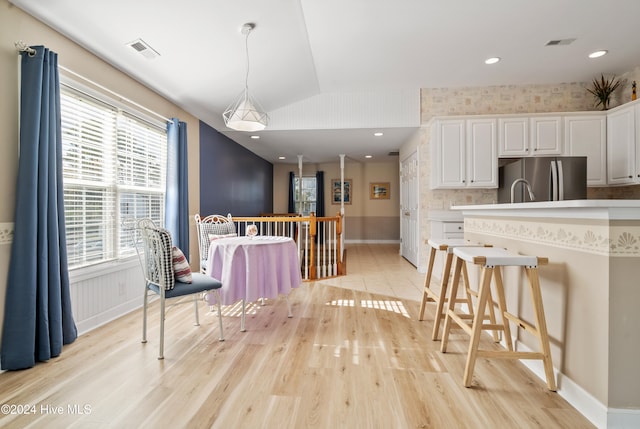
(491, 259)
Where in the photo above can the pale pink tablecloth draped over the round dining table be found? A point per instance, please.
(254, 268)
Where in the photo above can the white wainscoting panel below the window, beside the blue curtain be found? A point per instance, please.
(104, 293)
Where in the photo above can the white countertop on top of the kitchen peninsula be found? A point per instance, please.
(583, 209)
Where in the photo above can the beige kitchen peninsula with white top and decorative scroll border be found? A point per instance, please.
(591, 291)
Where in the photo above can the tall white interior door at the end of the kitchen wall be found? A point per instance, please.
(409, 204)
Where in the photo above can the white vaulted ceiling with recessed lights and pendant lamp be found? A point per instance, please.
(309, 56)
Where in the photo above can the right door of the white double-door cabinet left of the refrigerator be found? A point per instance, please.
(482, 157)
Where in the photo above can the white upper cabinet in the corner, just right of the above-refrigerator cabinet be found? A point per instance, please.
(586, 135)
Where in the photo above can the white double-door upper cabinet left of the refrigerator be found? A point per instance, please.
(464, 154)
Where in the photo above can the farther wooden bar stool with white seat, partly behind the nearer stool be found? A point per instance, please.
(428, 295)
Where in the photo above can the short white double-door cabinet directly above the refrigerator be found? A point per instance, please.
(520, 136)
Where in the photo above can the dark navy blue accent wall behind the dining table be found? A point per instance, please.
(232, 178)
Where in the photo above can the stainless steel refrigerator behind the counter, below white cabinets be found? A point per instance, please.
(551, 178)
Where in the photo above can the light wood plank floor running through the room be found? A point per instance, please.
(353, 356)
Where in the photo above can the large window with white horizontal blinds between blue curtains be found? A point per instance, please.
(114, 166)
